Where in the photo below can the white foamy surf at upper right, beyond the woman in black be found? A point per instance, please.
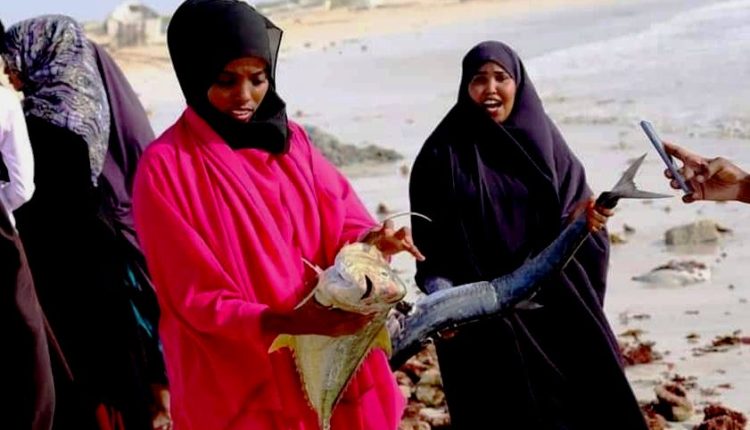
(688, 74)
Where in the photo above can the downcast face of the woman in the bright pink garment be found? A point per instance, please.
(239, 88)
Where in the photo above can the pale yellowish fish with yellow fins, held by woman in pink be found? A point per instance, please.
(360, 280)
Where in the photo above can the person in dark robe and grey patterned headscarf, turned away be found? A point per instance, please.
(87, 131)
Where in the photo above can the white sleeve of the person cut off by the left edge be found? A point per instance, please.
(16, 157)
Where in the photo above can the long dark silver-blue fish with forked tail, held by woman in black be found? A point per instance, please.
(451, 306)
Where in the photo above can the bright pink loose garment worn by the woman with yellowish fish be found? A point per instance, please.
(224, 232)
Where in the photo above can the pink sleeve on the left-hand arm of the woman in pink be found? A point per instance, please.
(189, 278)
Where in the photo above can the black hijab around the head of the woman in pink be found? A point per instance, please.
(203, 36)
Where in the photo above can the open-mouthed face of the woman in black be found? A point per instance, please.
(493, 88)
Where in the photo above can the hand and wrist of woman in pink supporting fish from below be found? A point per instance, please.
(312, 318)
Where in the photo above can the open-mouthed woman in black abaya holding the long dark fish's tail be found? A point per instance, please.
(500, 183)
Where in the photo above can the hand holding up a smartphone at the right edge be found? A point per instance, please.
(716, 179)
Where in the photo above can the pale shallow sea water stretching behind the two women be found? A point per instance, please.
(680, 63)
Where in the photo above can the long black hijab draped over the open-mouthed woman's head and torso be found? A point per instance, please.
(490, 165)
